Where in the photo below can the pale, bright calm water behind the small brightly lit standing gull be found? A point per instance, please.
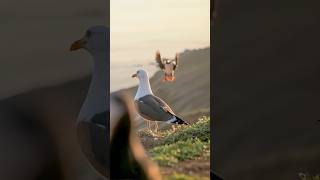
(140, 27)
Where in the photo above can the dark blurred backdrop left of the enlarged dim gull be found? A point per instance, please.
(43, 86)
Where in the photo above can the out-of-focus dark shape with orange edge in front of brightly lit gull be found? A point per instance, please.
(128, 158)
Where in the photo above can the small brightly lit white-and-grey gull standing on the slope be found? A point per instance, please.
(151, 107)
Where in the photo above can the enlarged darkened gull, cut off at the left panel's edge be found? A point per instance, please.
(92, 119)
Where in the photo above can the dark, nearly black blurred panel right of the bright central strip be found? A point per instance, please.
(266, 89)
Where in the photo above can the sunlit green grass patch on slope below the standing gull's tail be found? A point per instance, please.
(183, 143)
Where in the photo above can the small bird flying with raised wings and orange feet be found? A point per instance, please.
(168, 66)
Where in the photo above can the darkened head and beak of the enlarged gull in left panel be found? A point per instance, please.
(94, 41)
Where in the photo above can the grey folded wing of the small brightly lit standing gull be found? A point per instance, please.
(153, 108)
